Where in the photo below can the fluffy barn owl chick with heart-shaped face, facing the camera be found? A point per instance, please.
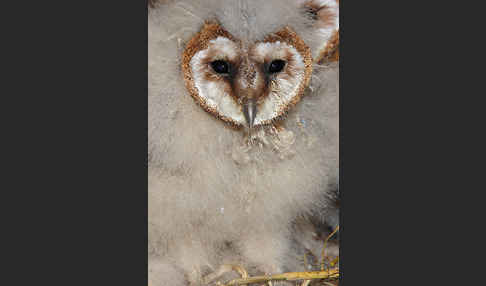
(242, 133)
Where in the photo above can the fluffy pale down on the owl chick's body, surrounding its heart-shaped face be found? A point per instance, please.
(212, 199)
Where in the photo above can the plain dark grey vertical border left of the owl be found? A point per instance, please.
(75, 169)
